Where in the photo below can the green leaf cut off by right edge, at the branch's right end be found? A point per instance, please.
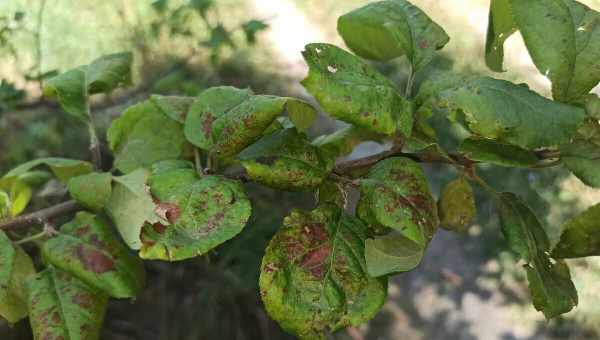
(582, 155)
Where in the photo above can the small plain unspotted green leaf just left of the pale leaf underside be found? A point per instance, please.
(92, 190)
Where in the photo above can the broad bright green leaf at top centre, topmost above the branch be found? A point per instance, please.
(389, 29)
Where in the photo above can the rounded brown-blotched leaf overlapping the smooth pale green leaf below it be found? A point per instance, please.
(395, 195)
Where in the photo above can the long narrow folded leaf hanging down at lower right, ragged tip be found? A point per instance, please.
(550, 283)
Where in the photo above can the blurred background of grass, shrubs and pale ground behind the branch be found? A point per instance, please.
(468, 287)
